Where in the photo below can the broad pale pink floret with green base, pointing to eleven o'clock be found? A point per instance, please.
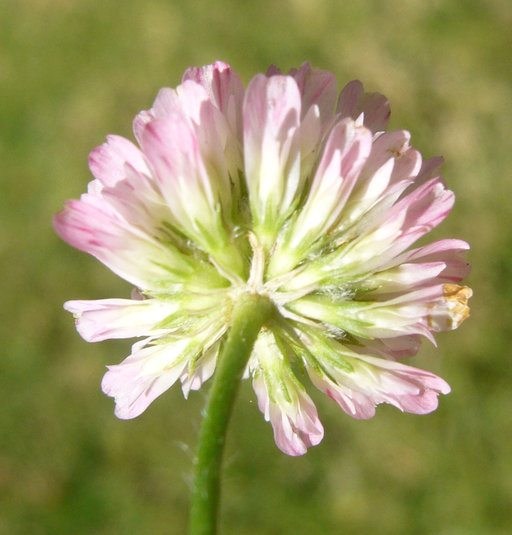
(190, 168)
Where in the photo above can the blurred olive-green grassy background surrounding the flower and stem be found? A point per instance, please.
(72, 71)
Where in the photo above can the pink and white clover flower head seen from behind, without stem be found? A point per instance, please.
(286, 190)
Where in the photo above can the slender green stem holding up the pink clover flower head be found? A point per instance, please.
(250, 313)
